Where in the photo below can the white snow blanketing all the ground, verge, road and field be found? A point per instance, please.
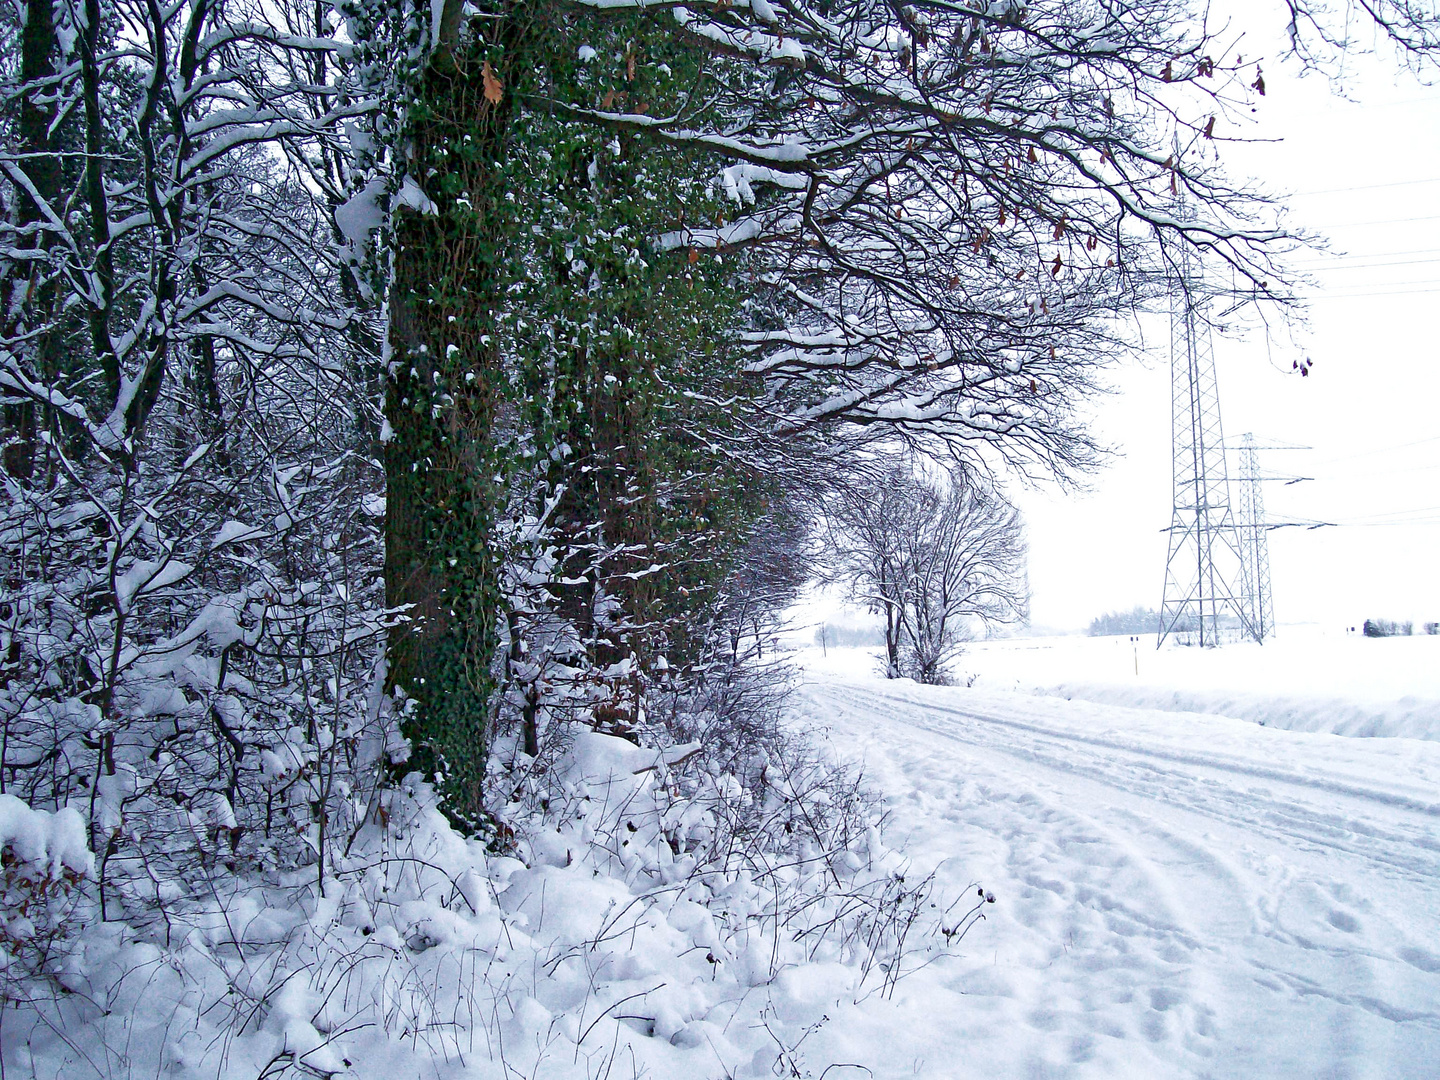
(1176, 895)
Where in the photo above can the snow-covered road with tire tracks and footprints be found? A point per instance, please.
(1179, 895)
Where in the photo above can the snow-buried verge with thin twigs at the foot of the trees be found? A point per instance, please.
(654, 906)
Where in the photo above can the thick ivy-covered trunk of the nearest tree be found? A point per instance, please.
(443, 392)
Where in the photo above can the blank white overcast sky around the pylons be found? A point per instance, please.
(1367, 175)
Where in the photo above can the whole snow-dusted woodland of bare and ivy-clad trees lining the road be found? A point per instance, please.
(394, 391)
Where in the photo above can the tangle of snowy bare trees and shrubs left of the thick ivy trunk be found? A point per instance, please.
(191, 526)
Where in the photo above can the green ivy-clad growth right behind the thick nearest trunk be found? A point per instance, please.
(639, 351)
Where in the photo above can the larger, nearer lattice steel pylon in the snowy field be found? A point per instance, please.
(1205, 545)
